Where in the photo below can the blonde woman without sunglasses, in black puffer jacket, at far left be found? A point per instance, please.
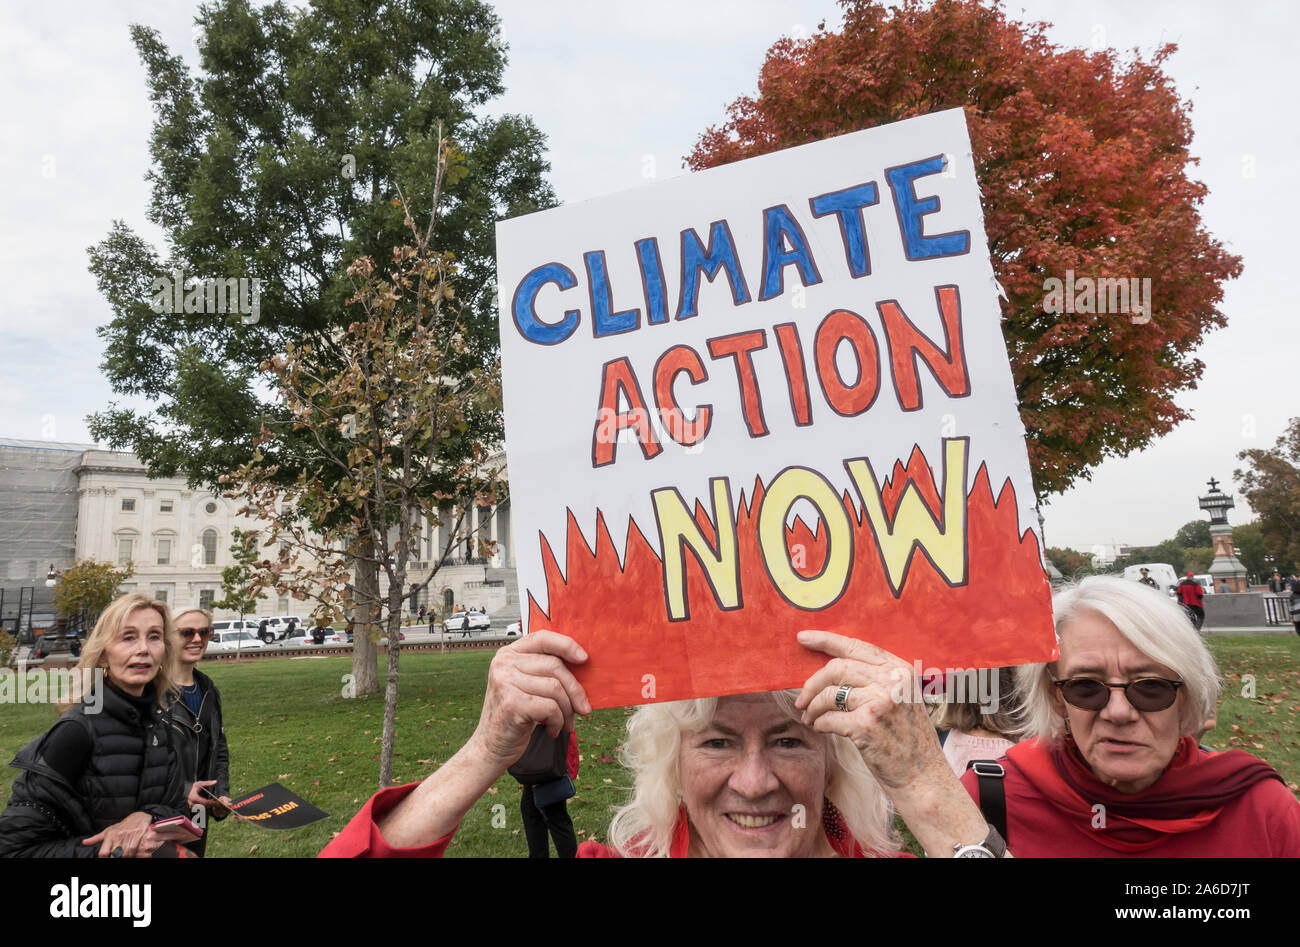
(96, 784)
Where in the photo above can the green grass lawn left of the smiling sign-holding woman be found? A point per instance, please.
(287, 721)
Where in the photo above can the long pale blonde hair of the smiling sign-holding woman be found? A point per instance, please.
(652, 751)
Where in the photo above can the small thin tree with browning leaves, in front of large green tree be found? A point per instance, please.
(396, 418)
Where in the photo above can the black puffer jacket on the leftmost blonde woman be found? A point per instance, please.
(131, 768)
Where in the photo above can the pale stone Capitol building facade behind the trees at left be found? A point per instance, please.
(66, 503)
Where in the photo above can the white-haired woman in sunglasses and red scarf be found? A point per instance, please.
(1115, 768)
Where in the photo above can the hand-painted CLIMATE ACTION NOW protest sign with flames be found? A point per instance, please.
(768, 397)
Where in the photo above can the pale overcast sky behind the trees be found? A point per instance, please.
(623, 90)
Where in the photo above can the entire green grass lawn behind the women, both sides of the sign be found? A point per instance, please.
(288, 721)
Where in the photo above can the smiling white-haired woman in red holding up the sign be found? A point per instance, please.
(808, 773)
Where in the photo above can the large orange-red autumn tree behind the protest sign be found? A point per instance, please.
(1082, 161)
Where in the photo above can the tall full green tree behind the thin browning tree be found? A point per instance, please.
(276, 162)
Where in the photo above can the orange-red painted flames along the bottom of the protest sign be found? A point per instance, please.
(1002, 616)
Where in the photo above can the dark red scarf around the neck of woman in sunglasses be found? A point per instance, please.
(1189, 795)
